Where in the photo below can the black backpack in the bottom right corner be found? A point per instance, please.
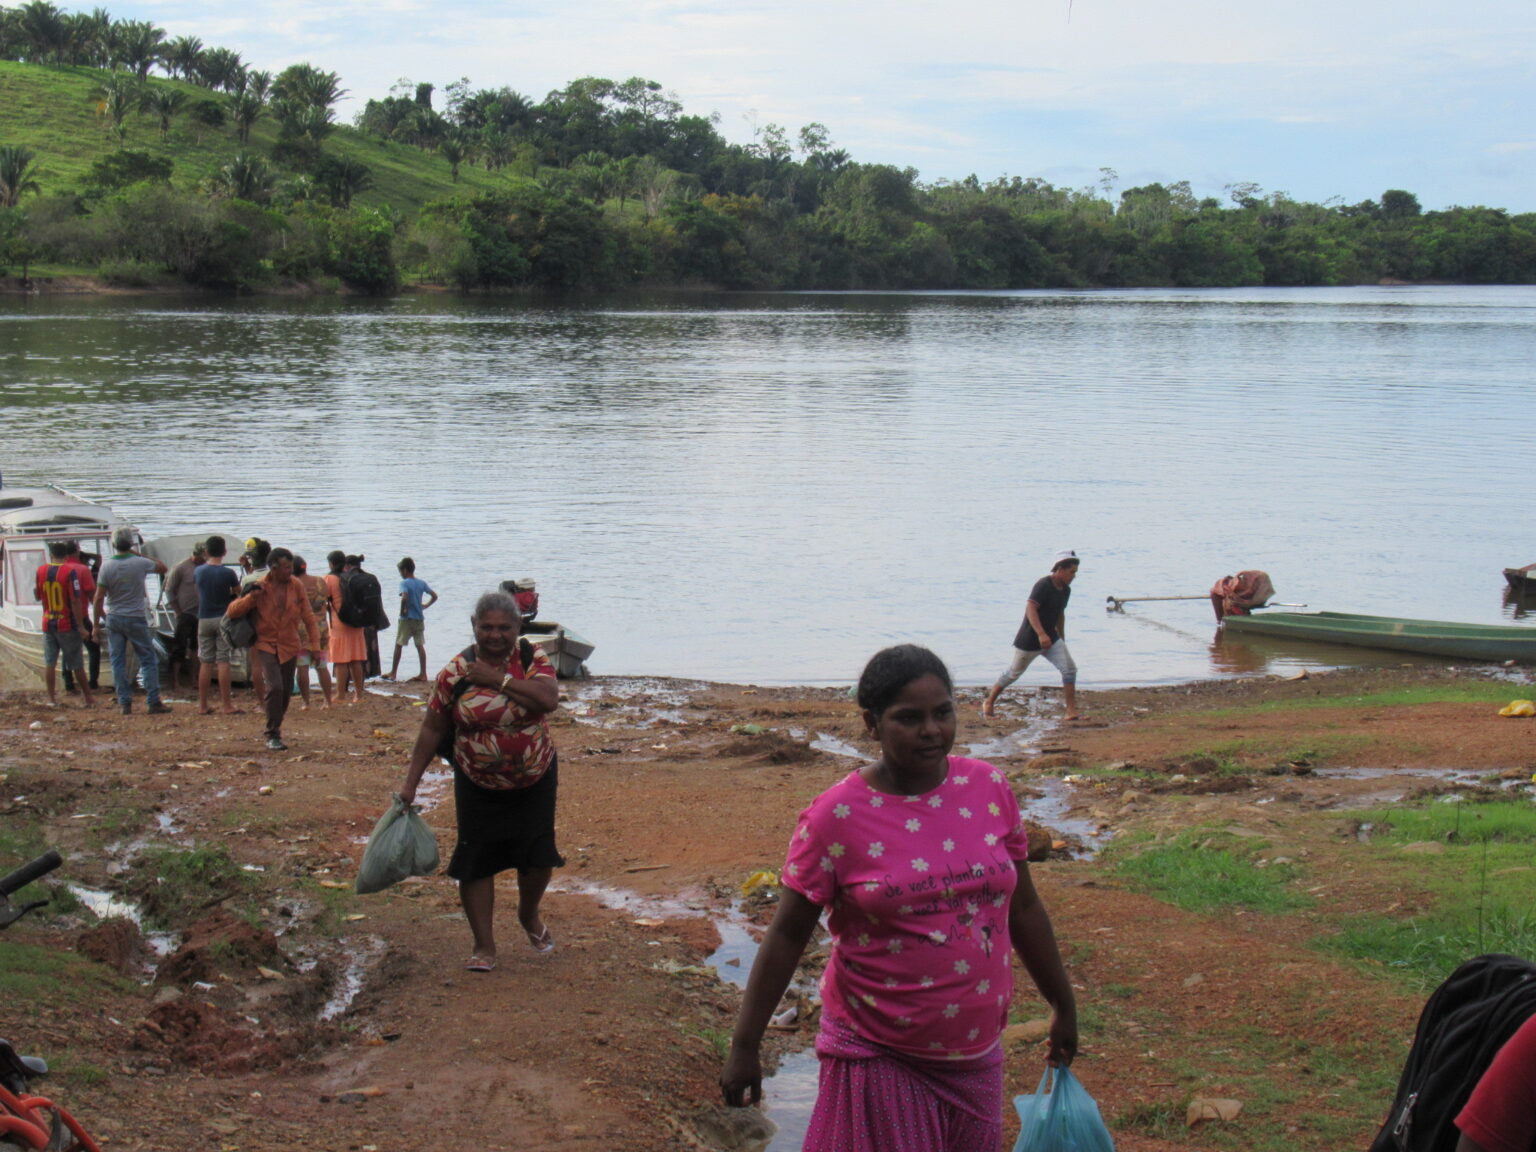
(1463, 1027)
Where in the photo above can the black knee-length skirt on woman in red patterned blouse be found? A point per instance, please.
(503, 829)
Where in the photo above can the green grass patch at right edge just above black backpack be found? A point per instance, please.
(1481, 887)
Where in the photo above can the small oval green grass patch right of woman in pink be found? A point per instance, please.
(1203, 872)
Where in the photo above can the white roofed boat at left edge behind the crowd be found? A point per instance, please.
(30, 521)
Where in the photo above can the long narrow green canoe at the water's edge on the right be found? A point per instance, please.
(1426, 638)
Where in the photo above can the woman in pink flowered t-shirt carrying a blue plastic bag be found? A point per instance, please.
(921, 859)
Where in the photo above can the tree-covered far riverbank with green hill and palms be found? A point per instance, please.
(157, 161)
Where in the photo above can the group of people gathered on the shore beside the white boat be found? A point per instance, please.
(299, 623)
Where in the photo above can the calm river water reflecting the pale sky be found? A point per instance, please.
(770, 488)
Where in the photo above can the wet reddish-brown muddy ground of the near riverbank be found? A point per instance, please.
(293, 1013)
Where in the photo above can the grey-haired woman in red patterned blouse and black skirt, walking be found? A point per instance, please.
(492, 700)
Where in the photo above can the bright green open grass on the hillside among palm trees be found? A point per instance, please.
(53, 111)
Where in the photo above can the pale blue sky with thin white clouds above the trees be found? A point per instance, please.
(1317, 99)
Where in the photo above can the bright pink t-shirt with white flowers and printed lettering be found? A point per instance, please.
(919, 890)
